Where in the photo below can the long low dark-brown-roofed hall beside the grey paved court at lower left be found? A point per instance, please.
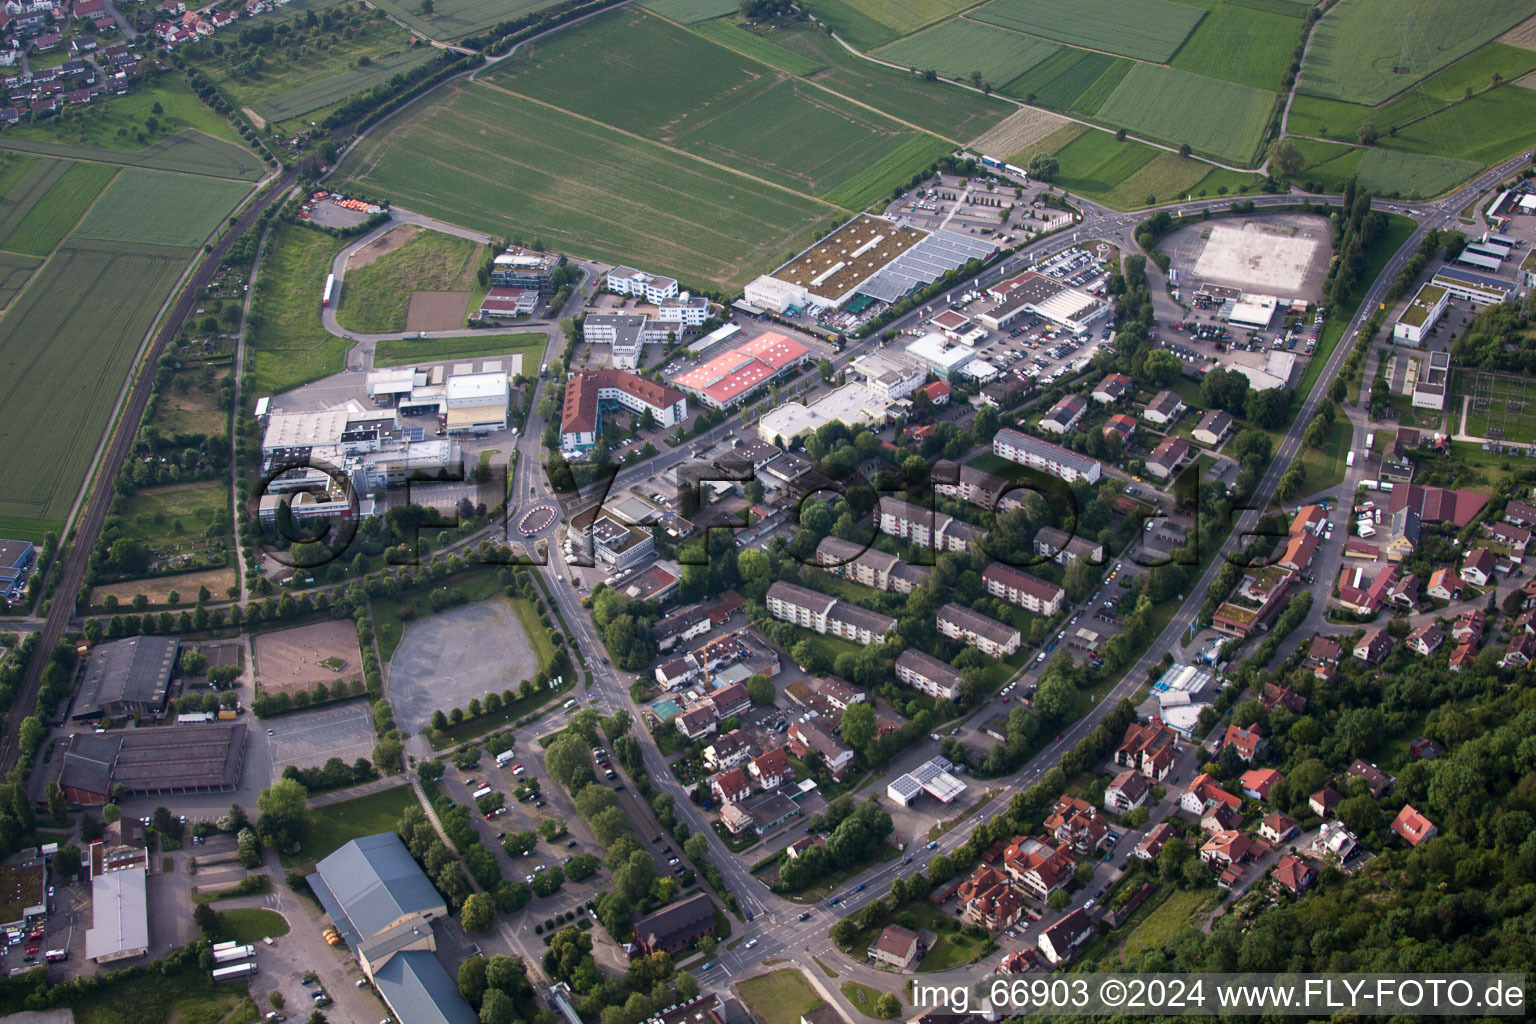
(151, 761)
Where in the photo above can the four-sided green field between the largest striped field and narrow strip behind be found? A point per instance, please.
(813, 142)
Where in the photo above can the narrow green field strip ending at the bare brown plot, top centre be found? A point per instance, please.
(935, 107)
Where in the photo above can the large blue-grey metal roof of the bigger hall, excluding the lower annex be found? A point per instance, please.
(372, 884)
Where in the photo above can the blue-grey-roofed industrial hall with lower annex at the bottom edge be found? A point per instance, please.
(386, 911)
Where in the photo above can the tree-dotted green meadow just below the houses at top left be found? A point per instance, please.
(121, 124)
